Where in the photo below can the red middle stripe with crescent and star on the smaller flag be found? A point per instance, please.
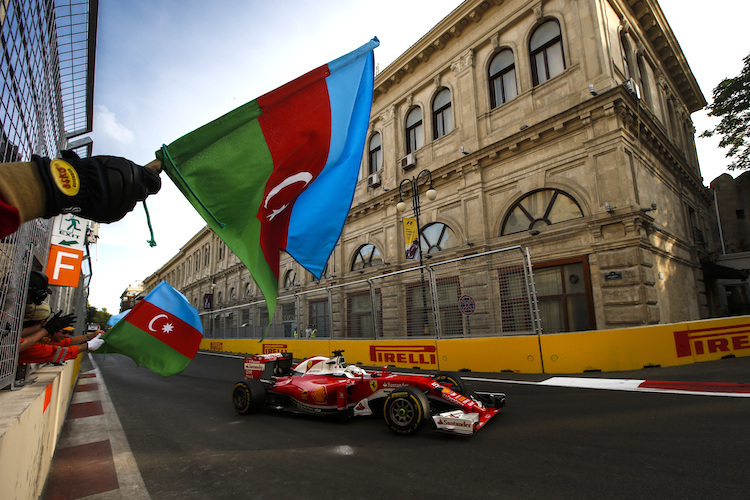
(166, 327)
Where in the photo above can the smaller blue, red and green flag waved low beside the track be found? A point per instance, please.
(161, 332)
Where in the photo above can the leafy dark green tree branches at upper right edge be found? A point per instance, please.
(731, 102)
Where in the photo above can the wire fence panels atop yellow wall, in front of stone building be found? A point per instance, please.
(483, 295)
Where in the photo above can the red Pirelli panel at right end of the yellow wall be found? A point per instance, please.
(712, 340)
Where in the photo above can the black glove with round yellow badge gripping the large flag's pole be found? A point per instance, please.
(99, 188)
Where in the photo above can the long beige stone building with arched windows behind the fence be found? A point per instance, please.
(563, 127)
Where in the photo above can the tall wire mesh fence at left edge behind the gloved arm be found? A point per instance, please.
(46, 99)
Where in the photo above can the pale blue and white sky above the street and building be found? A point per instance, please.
(166, 67)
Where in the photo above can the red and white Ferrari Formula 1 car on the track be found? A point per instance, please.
(329, 386)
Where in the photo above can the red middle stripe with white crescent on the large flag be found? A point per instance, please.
(296, 124)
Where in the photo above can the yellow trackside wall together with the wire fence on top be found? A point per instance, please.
(477, 313)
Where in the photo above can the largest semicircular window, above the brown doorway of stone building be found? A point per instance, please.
(539, 209)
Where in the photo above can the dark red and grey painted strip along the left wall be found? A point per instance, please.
(93, 459)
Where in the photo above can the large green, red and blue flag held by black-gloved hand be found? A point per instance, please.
(279, 172)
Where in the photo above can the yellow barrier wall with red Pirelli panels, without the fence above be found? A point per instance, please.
(604, 350)
